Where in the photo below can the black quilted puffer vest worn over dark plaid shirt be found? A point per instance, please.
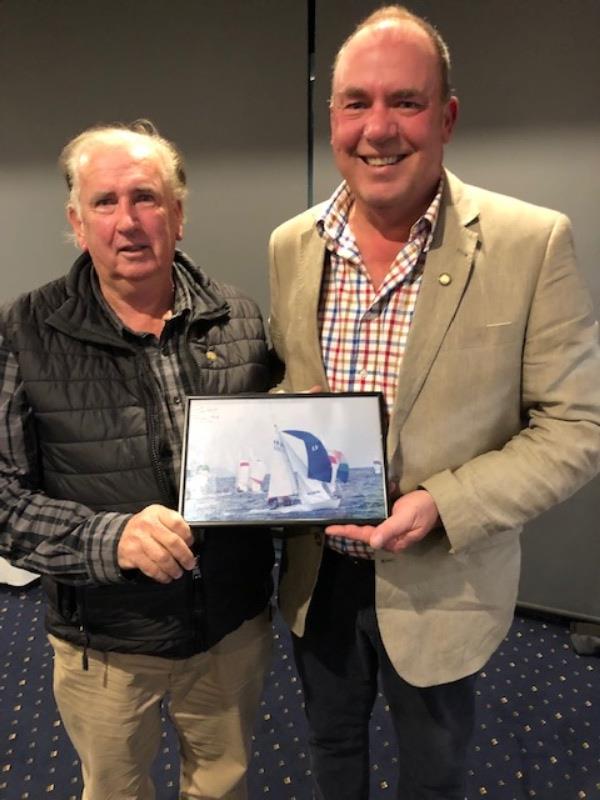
(96, 417)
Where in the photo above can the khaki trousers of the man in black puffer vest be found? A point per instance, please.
(111, 713)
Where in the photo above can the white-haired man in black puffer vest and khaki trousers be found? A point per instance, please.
(94, 368)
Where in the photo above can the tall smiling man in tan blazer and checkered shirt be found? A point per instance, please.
(465, 308)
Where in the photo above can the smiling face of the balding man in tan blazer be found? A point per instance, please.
(389, 123)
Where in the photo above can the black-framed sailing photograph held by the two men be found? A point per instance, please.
(284, 459)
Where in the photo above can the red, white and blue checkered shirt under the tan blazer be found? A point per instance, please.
(363, 330)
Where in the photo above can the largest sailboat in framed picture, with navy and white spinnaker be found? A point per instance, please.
(300, 473)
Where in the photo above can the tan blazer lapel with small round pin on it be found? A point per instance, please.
(445, 275)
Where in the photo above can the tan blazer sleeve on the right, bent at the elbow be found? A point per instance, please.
(558, 448)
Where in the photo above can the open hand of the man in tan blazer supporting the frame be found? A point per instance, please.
(413, 516)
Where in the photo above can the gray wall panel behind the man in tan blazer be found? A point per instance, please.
(527, 75)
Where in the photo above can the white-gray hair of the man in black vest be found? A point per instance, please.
(120, 134)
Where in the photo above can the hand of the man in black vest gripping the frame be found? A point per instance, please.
(157, 541)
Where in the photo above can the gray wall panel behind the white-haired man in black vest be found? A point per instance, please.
(225, 80)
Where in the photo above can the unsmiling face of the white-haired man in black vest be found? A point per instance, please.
(128, 218)
